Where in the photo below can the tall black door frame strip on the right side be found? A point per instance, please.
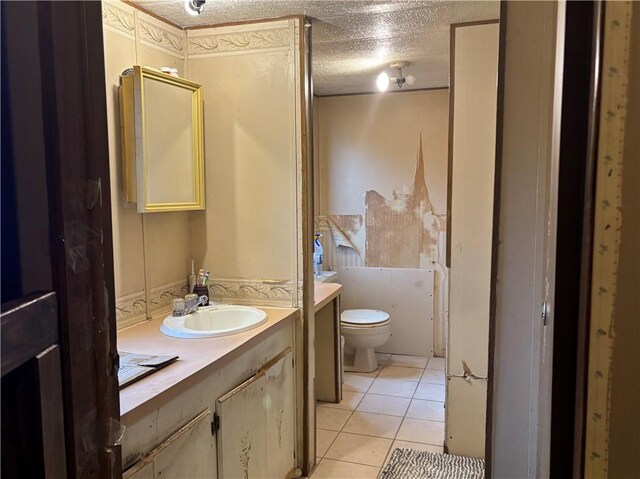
(575, 233)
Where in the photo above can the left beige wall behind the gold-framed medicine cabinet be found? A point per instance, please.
(151, 251)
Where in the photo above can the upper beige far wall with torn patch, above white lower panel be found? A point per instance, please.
(373, 182)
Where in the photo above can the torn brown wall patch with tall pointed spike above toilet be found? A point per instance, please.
(402, 232)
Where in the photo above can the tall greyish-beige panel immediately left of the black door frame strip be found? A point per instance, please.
(523, 272)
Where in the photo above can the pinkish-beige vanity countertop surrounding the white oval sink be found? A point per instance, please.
(195, 355)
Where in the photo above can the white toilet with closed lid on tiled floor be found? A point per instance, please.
(363, 330)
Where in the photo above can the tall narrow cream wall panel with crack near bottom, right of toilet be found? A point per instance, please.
(474, 74)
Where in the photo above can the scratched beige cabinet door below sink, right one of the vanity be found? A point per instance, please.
(256, 435)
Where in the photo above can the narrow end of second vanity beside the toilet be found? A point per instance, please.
(328, 349)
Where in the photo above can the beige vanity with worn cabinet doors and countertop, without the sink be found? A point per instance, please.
(225, 408)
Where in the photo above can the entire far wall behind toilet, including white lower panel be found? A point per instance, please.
(381, 179)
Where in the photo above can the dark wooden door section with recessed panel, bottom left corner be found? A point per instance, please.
(29, 351)
